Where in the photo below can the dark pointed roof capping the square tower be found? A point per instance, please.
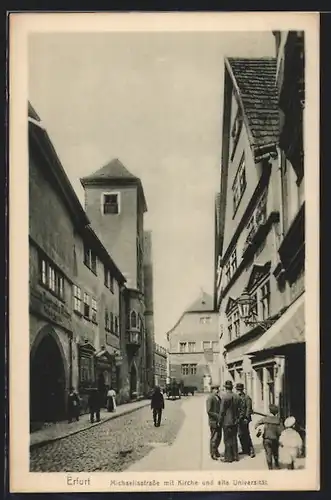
(114, 172)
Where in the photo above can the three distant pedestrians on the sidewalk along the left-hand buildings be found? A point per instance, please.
(95, 403)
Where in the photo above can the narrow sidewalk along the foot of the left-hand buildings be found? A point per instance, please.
(60, 430)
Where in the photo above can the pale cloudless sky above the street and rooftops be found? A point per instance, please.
(153, 100)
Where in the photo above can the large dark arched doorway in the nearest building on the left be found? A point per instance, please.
(47, 382)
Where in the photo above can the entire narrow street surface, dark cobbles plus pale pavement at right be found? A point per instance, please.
(132, 443)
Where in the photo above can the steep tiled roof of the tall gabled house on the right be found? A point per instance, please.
(255, 82)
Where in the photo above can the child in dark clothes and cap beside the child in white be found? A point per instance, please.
(271, 434)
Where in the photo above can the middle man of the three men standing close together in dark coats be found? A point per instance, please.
(229, 417)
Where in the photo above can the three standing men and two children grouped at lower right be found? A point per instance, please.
(230, 414)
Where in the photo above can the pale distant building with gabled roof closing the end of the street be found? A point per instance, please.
(194, 345)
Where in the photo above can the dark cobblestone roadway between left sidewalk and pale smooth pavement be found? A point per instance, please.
(112, 446)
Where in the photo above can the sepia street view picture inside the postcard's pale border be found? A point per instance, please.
(166, 244)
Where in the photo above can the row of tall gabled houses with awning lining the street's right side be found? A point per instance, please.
(260, 231)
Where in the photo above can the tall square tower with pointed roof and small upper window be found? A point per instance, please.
(115, 204)
